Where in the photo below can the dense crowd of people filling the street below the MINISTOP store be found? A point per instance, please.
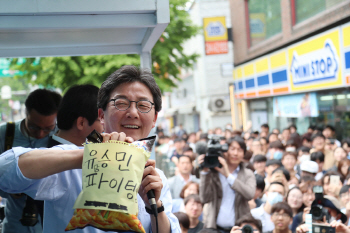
(268, 179)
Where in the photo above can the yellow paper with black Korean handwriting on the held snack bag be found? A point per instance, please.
(112, 174)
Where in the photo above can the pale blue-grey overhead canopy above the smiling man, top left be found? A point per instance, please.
(32, 28)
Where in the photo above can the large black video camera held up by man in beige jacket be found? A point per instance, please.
(214, 150)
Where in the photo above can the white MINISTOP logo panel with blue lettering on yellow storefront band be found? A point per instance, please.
(320, 64)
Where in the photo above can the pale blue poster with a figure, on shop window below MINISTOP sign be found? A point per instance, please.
(299, 105)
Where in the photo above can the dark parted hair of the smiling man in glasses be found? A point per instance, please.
(129, 74)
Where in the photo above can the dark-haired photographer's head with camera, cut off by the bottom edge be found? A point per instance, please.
(247, 224)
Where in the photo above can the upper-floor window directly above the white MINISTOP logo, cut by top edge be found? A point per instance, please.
(307, 9)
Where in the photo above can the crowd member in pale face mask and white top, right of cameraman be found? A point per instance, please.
(274, 194)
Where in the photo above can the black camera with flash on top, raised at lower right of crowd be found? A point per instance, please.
(317, 211)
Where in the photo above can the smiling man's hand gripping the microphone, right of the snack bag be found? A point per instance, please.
(150, 180)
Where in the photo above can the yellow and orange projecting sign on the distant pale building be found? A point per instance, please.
(215, 35)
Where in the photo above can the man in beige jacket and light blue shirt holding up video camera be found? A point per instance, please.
(226, 189)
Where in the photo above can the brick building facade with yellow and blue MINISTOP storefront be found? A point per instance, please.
(292, 63)
